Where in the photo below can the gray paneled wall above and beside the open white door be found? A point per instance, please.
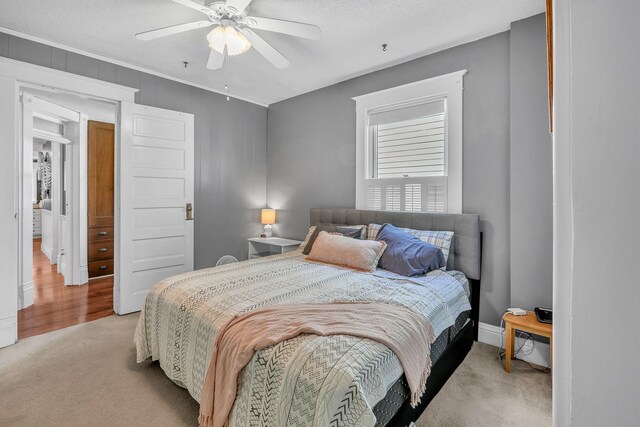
(230, 145)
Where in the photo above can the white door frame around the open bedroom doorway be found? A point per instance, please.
(14, 75)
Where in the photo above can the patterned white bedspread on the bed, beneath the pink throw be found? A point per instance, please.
(304, 381)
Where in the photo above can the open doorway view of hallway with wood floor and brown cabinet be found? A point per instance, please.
(68, 211)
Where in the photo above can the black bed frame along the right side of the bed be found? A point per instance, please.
(448, 362)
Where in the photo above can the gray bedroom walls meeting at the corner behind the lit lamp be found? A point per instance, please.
(311, 152)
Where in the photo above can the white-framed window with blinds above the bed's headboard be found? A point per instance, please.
(409, 147)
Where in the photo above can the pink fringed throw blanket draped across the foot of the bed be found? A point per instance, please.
(407, 333)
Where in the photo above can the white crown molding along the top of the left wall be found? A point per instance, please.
(123, 64)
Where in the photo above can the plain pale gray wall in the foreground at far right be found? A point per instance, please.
(597, 214)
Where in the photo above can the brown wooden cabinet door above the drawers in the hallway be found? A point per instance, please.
(100, 170)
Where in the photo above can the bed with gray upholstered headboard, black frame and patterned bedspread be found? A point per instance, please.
(310, 380)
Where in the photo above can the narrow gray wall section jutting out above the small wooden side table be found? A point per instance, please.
(531, 167)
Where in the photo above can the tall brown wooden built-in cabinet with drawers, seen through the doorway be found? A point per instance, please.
(100, 187)
